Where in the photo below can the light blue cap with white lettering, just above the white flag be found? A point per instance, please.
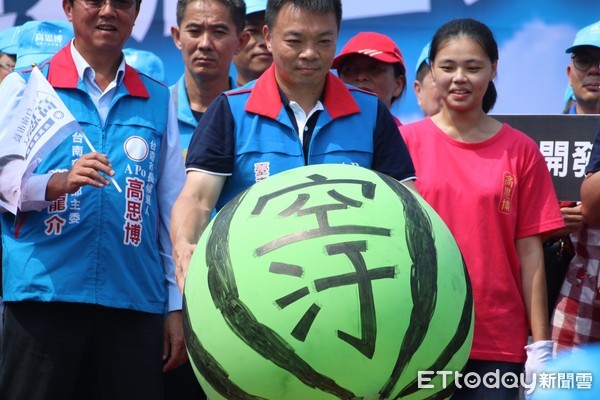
(40, 40)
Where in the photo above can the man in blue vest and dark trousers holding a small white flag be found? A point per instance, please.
(92, 308)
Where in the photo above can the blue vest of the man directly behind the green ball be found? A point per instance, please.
(262, 141)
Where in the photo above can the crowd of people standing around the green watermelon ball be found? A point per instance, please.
(93, 275)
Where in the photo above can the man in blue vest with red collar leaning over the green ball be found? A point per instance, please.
(287, 118)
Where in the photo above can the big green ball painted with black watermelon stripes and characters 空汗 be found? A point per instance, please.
(326, 282)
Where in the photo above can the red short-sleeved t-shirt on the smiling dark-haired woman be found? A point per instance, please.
(489, 194)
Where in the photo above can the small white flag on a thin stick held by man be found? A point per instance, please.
(39, 124)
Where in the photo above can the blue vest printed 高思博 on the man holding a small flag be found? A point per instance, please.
(97, 246)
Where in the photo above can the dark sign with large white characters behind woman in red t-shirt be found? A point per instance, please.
(565, 141)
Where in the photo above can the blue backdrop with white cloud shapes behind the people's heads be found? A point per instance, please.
(532, 36)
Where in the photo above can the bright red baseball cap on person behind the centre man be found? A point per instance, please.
(372, 44)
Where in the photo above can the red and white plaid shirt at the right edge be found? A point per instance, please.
(576, 319)
